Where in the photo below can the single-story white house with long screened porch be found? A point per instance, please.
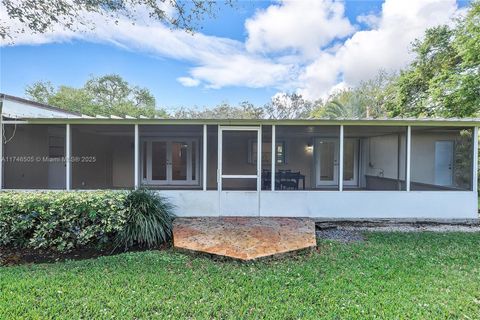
(319, 168)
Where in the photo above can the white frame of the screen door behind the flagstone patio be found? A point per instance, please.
(221, 176)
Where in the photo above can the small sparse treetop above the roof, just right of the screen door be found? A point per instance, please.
(288, 106)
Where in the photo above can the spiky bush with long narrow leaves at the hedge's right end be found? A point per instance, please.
(149, 220)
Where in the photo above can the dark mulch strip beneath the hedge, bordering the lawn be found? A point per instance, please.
(15, 256)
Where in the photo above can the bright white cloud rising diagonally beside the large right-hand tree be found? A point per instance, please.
(385, 46)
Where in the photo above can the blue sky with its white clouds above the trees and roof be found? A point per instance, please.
(277, 52)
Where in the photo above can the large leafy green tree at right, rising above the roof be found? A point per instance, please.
(444, 78)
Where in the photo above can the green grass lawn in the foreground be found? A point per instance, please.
(391, 276)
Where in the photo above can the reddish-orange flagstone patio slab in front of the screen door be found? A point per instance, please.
(244, 238)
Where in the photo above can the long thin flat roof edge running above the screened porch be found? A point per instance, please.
(353, 122)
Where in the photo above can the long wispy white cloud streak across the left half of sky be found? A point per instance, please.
(217, 61)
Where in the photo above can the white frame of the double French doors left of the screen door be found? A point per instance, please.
(169, 180)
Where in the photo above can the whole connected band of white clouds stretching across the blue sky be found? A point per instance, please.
(307, 46)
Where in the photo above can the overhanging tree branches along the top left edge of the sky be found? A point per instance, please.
(41, 16)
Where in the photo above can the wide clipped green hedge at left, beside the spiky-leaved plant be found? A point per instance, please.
(60, 220)
